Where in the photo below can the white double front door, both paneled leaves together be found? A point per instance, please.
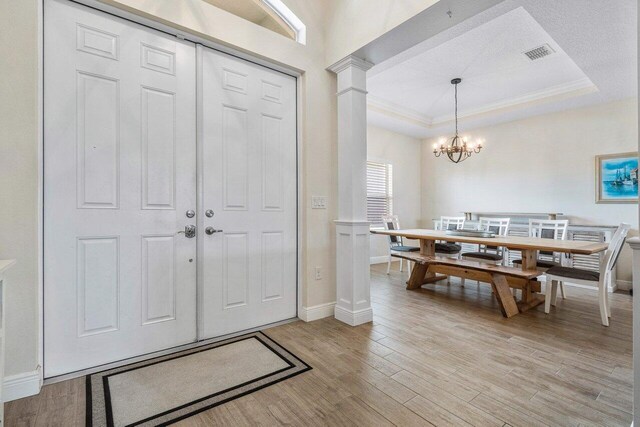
(136, 135)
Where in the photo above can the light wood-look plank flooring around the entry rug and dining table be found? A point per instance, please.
(442, 355)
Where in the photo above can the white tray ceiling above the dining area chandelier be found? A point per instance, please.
(411, 93)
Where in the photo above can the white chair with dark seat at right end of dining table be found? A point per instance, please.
(601, 279)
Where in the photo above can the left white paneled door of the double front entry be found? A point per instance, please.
(119, 175)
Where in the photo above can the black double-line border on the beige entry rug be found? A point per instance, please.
(256, 335)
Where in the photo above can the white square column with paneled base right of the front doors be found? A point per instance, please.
(353, 299)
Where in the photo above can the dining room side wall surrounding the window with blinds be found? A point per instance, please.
(403, 152)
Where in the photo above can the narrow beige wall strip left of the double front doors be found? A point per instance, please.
(18, 179)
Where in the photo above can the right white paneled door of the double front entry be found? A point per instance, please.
(248, 137)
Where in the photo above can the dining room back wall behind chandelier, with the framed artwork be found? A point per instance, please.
(540, 164)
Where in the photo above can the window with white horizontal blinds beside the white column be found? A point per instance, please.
(379, 192)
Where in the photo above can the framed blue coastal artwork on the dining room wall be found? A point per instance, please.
(617, 178)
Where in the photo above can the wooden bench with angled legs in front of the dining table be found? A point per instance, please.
(501, 278)
